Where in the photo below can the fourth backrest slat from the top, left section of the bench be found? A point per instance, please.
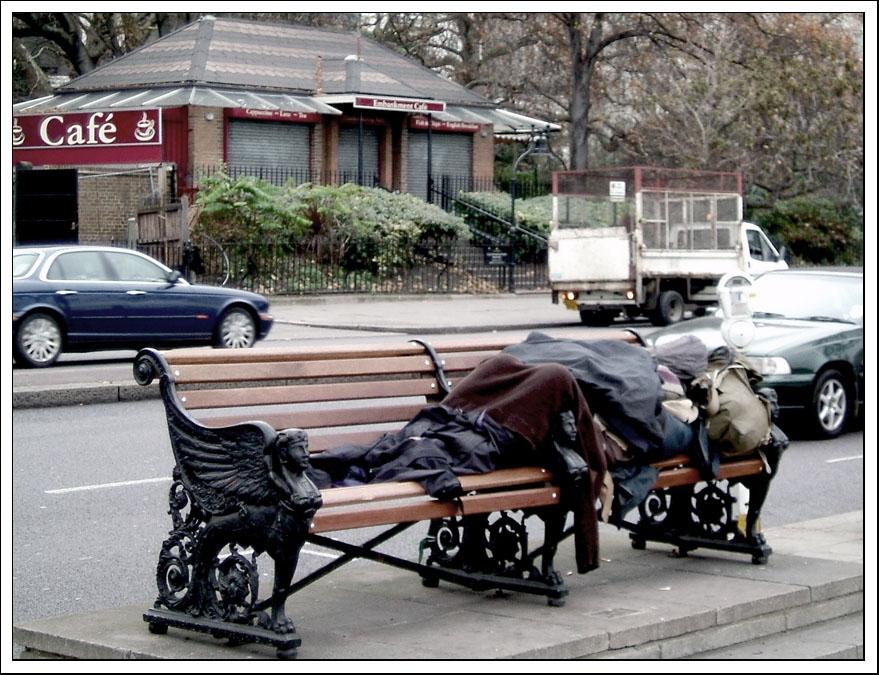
(316, 419)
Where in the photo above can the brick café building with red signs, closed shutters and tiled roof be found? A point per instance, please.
(277, 101)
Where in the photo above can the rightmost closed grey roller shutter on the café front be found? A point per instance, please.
(452, 155)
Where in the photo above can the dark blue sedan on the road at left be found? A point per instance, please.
(85, 298)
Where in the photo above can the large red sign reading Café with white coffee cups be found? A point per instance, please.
(97, 136)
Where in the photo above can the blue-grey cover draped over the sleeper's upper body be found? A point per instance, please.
(619, 380)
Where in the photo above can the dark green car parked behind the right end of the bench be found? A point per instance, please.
(808, 343)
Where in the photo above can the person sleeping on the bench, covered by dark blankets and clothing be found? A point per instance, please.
(527, 406)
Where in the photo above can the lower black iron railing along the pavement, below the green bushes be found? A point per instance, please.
(276, 269)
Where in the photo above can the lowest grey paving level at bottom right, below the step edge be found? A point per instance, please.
(840, 638)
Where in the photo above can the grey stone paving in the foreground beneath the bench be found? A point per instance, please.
(806, 603)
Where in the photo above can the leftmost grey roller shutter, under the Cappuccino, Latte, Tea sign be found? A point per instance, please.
(273, 151)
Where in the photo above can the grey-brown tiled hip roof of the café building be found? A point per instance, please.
(297, 60)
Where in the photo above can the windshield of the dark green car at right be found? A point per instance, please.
(814, 297)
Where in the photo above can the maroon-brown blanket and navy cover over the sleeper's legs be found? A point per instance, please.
(504, 413)
